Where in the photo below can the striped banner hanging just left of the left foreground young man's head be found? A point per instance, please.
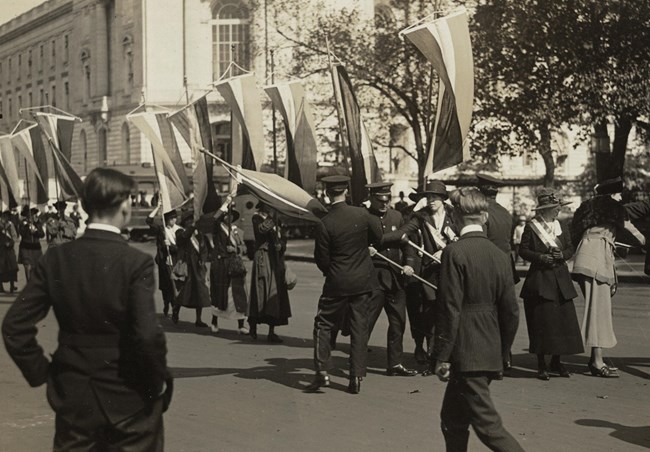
(57, 132)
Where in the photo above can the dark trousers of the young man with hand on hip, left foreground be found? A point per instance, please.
(140, 432)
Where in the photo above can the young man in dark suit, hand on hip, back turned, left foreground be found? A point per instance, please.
(108, 381)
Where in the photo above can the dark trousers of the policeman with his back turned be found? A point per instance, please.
(328, 315)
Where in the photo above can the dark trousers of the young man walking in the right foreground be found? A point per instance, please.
(467, 402)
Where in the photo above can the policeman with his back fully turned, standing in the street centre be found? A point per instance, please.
(341, 253)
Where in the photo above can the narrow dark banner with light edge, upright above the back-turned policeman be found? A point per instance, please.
(364, 168)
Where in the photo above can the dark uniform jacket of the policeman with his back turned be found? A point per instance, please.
(341, 250)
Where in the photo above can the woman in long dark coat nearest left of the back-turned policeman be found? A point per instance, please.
(269, 302)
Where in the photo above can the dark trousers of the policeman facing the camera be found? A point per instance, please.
(394, 303)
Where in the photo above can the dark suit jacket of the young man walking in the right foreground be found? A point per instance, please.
(476, 314)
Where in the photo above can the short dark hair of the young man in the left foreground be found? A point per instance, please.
(105, 189)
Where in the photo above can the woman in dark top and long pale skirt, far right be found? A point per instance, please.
(596, 224)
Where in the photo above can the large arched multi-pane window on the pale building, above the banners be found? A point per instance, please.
(230, 37)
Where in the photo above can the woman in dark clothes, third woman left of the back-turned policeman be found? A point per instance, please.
(193, 292)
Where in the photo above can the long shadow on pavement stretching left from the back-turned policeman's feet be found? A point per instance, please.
(283, 371)
